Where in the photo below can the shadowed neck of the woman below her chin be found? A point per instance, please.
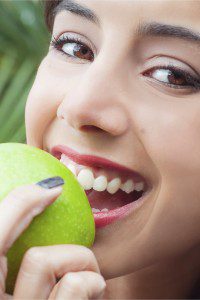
(173, 279)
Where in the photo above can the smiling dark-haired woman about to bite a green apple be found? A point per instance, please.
(121, 81)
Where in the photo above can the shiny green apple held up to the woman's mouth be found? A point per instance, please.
(69, 220)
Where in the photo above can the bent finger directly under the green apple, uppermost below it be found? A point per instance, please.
(42, 266)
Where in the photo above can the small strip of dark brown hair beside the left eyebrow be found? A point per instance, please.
(49, 7)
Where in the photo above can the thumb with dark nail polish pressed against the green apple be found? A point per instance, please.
(18, 209)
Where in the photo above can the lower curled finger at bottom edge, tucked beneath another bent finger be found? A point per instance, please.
(81, 285)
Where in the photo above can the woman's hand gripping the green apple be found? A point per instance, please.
(51, 272)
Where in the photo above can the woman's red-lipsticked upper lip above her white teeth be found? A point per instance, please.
(94, 161)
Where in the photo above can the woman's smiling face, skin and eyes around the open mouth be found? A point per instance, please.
(134, 98)
